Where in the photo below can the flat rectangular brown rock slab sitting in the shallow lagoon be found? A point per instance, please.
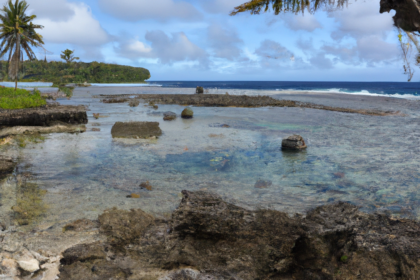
(143, 130)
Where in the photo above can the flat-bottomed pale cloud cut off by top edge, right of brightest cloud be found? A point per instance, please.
(162, 10)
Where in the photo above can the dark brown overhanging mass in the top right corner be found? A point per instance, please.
(407, 14)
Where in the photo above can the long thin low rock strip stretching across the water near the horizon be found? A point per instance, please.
(220, 100)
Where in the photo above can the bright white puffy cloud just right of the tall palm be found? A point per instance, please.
(80, 29)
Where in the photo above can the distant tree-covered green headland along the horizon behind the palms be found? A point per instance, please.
(76, 72)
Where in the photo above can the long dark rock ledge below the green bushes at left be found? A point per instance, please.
(44, 116)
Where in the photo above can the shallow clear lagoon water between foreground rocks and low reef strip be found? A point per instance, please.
(370, 161)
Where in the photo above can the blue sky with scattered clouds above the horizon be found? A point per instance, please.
(190, 40)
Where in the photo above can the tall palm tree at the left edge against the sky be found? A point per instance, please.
(18, 32)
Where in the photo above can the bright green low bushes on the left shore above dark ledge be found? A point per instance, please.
(20, 99)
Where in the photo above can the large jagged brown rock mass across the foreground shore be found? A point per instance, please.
(208, 238)
